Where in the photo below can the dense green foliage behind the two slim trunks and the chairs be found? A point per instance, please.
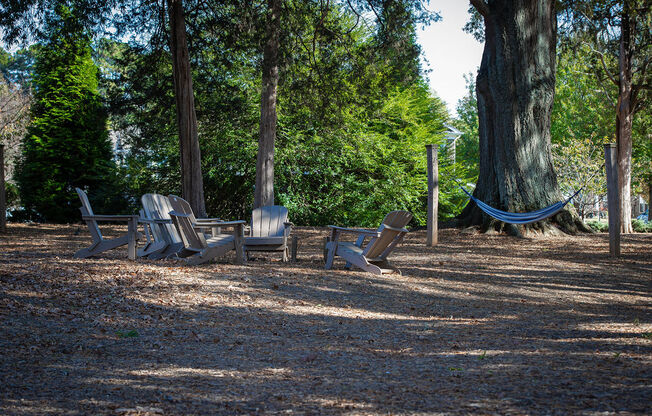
(353, 120)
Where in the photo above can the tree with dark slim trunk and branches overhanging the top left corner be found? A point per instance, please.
(146, 21)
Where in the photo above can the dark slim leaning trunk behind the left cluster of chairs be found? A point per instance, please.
(192, 183)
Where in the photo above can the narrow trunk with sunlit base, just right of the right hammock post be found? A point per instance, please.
(624, 118)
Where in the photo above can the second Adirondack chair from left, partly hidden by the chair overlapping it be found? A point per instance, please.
(162, 237)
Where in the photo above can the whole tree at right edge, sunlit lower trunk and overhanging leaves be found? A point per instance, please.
(619, 34)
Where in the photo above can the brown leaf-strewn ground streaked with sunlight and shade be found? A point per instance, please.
(478, 324)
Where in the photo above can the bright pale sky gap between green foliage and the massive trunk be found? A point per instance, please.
(450, 51)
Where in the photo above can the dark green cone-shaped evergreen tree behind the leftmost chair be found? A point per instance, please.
(67, 143)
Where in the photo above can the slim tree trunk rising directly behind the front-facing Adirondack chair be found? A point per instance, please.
(264, 192)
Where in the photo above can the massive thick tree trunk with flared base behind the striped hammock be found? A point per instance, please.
(515, 89)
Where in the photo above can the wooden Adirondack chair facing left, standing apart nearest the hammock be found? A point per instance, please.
(373, 256)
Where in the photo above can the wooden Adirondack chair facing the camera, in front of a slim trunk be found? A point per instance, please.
(269, 230)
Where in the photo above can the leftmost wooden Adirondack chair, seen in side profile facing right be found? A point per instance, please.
(99, 243)
